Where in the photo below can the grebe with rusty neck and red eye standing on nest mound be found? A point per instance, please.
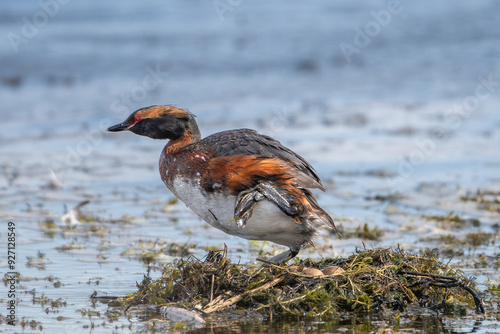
(238, 181)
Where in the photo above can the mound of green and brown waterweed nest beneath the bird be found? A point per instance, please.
(377, 279)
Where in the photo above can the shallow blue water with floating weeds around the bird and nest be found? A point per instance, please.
(413, 114)
